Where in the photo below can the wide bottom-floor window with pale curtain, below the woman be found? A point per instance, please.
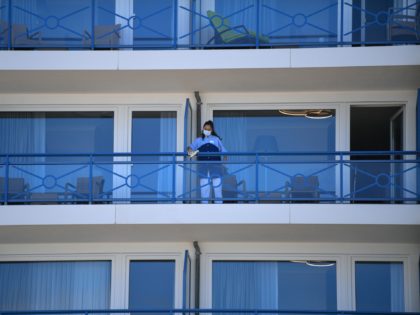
(294, 285)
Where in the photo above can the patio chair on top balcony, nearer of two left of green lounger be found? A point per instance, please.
(106, 36)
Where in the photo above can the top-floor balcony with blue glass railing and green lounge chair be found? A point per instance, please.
(201, 24)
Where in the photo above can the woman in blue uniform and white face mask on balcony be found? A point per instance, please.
(209, 173)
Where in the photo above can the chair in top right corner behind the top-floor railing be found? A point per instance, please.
(403, 26)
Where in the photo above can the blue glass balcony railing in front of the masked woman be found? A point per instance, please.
(168, 178)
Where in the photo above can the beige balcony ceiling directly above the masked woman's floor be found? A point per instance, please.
(219, 80)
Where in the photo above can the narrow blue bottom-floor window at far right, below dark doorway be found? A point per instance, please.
(380, 286)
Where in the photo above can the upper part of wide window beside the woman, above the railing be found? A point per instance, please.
(271, 131)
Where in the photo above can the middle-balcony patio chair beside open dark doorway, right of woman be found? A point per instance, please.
(303, 188)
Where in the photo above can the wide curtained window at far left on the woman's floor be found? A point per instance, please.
(59, 133)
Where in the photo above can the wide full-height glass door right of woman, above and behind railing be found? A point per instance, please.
(296, 132)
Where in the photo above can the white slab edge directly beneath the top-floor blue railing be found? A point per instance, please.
(211, 59)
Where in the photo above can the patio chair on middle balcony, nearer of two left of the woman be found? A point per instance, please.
(81, 191)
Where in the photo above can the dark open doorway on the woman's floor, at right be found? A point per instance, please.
(373, 177)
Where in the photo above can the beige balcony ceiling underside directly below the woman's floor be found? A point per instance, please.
(210, 233)
